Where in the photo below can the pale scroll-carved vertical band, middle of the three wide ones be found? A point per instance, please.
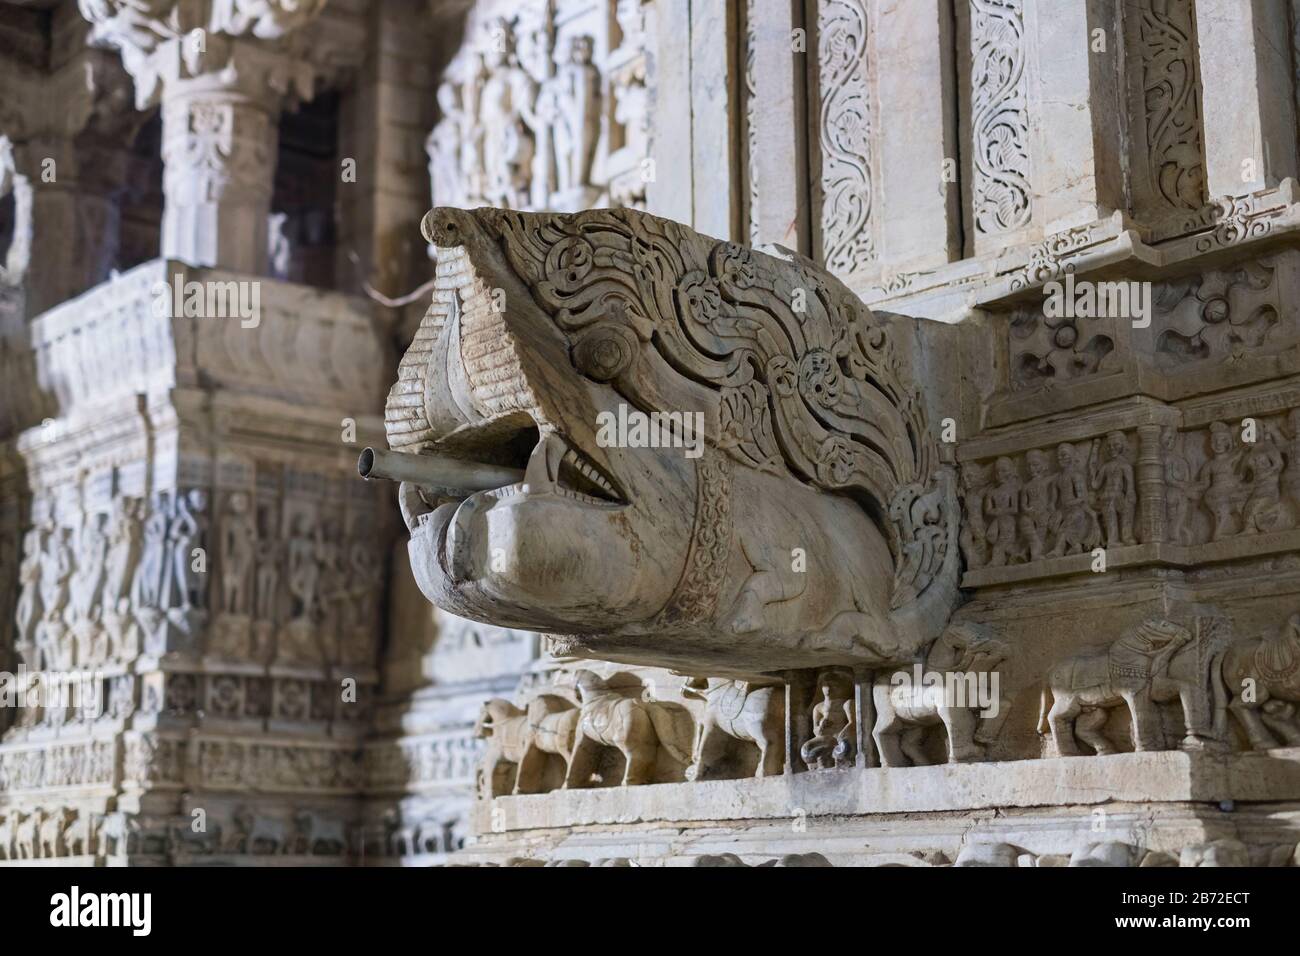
(1000, 127)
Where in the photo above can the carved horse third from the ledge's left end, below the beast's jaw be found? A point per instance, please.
(636, 728)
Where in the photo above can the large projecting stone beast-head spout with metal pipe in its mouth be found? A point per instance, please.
(668, 449)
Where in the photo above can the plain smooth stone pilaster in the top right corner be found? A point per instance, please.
(1249, 109)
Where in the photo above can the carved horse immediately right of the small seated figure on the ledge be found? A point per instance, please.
(908, 703)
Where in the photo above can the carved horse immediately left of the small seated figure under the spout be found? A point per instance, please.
(739, 711)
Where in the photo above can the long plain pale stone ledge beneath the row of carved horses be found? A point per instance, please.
(1154, 778)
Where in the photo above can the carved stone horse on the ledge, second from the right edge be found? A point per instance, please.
(1154, 664)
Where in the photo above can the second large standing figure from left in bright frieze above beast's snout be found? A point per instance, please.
(508, 140)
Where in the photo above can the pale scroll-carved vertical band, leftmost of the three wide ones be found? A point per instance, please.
(846, 132)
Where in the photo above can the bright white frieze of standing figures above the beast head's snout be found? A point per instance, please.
(526, 116)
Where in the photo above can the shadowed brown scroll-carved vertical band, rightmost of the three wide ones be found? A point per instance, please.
(1172, 101)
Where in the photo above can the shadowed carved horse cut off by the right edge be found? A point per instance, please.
(1273, 668)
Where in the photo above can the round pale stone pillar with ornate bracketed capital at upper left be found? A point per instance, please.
(222, 79)
